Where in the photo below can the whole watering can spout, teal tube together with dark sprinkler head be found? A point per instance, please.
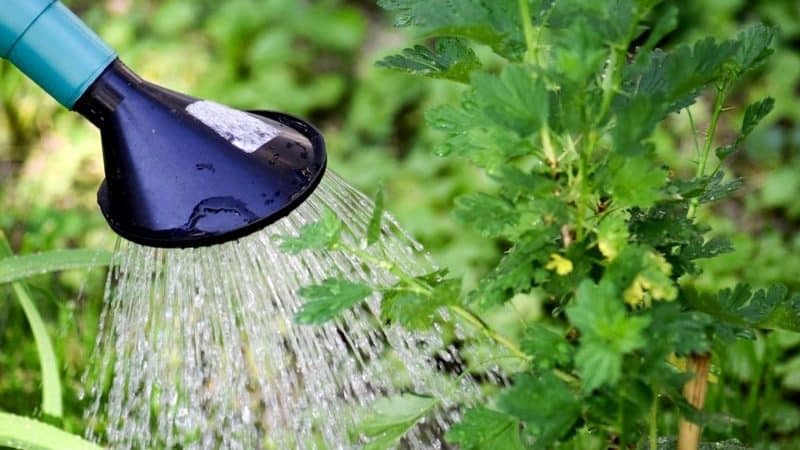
(180, 171)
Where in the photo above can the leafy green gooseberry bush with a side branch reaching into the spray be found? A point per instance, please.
(560, 110)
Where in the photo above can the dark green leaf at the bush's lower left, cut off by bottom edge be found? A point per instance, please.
(486, 429)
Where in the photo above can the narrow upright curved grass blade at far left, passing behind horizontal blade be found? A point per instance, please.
(51, 380)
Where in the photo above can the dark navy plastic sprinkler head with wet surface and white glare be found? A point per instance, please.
(184, 172)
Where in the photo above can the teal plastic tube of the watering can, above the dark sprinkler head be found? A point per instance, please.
(53, 47)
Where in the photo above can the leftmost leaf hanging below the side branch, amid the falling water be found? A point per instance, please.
(329, 299)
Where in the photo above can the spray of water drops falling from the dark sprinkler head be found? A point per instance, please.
(198, 348)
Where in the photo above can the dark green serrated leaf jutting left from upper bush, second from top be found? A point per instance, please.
(451, 58)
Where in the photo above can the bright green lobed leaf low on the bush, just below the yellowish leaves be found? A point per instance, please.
(608, 332)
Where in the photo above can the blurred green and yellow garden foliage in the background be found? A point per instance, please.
(316, 59)
